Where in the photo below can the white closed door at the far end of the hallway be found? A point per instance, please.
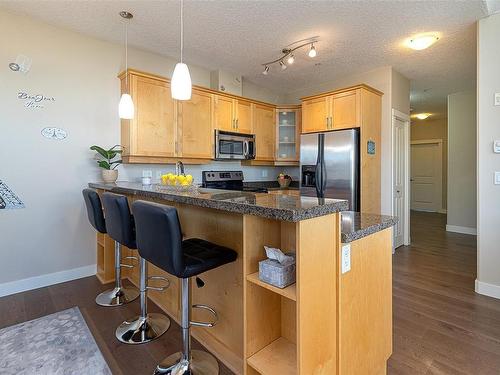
(426, 175)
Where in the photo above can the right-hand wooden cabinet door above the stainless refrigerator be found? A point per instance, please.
(346, 110)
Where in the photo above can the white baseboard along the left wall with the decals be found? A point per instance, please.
(17, 286)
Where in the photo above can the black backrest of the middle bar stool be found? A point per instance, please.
(119, 221)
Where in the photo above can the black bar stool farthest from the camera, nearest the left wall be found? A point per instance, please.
(119, 295)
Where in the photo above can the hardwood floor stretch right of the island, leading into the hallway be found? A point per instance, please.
(441, 326)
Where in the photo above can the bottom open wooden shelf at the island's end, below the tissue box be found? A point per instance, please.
(279, 357)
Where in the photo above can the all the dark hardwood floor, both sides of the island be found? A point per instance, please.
(441, 326)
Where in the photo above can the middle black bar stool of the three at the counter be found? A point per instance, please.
(120, 226)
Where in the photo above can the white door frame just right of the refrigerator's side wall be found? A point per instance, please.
(405, 118)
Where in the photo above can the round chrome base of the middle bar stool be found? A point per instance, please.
(140, 330)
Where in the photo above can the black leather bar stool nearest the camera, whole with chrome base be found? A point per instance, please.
(159, 240)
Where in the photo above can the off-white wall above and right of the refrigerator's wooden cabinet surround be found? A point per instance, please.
(385, 80)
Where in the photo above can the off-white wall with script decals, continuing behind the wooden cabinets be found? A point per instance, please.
(52, 233)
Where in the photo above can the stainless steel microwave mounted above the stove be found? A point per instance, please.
(234, 146)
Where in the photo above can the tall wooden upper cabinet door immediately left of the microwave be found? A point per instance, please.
(195, 130)
